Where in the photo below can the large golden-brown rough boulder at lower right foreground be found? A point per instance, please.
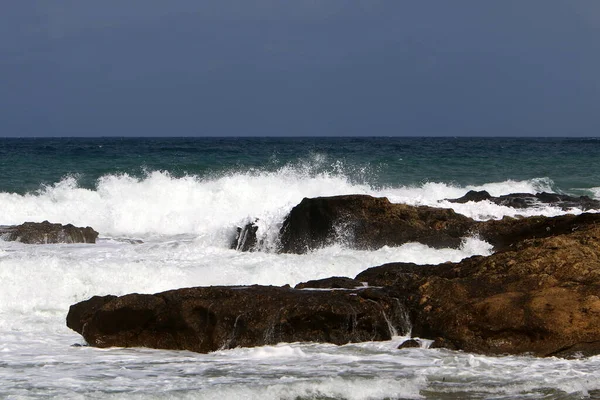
(541, 299)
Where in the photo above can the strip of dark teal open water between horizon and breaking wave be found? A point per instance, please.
(573, 165)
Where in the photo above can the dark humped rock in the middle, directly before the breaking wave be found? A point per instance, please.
(365, 222)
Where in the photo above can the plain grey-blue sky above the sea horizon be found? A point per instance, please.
(300, 68)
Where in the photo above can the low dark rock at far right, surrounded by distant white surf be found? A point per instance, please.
(525, 200)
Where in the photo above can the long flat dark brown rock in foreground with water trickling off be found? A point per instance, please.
(205, 319)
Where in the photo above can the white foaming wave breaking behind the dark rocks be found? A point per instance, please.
(211, 207)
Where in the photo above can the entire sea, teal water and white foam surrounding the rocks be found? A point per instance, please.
(167, 210)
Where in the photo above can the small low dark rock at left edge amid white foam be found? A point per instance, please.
(45, 232)
